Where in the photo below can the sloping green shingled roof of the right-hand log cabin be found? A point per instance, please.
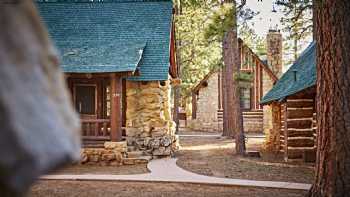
(304, 68)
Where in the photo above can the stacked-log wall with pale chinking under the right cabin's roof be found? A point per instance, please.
(297, 130)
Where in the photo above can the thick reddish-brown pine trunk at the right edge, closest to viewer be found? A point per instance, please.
(333, 96)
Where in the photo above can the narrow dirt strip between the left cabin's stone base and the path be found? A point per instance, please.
(93, 169)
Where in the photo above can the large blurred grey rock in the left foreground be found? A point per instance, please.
(39, 129)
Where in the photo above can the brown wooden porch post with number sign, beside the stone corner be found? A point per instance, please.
(116, 110)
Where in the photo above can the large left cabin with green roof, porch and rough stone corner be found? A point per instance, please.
(118, 57)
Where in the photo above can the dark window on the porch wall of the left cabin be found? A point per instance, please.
(85, 99)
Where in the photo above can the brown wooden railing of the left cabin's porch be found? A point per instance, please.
(96, 128)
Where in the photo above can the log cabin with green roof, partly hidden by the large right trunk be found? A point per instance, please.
(292, 100)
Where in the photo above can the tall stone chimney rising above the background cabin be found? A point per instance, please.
(274, 51)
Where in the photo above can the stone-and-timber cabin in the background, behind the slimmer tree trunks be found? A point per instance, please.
(257, 77)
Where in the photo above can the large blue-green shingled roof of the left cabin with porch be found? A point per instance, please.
(111, 35)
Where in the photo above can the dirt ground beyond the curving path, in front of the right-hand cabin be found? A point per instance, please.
(213, 156)
